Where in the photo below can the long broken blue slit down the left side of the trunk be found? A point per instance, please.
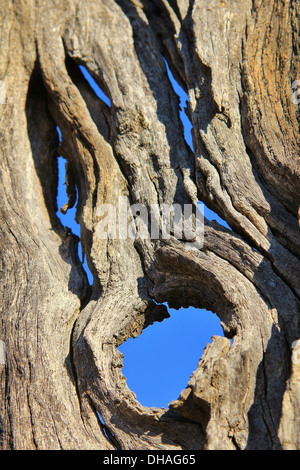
(68, 219)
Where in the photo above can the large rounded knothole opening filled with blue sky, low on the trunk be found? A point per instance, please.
(159, 362)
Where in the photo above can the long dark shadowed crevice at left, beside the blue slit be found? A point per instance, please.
(44, 142)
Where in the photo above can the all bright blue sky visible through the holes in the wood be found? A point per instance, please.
(159, 362)
